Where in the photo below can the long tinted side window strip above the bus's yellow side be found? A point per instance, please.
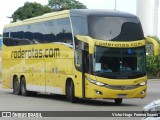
(58, 30)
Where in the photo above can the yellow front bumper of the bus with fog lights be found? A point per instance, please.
(95, 91)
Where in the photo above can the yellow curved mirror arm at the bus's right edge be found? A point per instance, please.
(155, 45)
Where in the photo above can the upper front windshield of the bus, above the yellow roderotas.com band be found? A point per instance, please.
(115, 28)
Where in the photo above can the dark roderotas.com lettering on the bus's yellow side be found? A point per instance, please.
(36, 53)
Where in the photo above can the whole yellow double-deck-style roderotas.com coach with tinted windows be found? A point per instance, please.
(69, 53)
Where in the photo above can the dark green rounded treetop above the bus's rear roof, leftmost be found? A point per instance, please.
(30, 10)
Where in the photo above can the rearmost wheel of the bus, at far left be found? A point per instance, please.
(16, 86)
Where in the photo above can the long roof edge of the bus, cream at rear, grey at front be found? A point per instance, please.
(65, 13)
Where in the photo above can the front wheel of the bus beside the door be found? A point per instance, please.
(70, 92)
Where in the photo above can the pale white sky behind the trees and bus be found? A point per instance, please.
(7, 7)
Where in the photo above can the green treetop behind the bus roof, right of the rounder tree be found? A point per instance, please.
(57, 5)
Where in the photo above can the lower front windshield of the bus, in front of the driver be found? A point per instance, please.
(121, 62)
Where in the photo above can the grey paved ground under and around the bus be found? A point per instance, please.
(41, 102)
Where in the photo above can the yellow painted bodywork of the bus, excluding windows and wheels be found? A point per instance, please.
(41, 68)
